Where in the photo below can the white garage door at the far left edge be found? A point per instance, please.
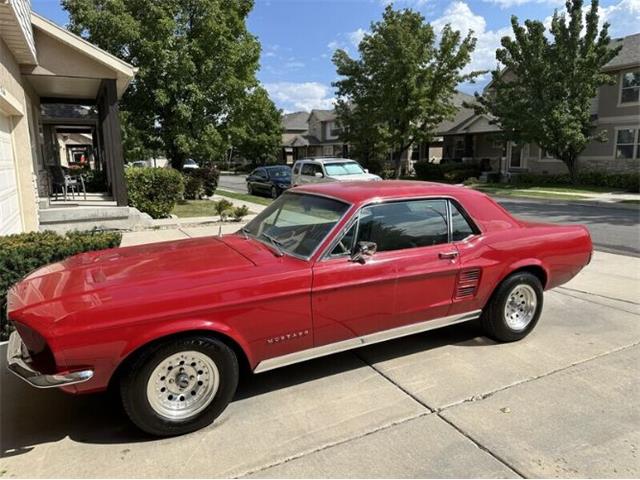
(9, 207)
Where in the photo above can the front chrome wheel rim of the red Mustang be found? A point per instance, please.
(183, 385)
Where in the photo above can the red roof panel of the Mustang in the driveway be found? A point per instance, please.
(366, 192)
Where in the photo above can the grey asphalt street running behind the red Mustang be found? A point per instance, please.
(613, 230)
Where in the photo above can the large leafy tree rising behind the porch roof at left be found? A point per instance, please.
(197, 65)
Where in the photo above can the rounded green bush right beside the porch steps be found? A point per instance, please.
(154, 190)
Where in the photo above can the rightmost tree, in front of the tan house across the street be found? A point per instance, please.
(544, 92)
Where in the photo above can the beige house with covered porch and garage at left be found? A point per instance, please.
(58, 124)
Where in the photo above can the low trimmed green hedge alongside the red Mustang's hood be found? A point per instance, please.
(22, 253)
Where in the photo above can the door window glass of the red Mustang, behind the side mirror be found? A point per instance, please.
(401, 225)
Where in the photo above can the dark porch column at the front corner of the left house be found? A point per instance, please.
(109, 124)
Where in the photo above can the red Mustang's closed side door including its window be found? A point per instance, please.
(410, 279)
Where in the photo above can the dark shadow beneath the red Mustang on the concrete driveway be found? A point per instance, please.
(30, 417)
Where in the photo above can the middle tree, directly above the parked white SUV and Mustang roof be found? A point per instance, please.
(404, 79)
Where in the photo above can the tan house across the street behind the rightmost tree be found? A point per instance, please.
(615, 110)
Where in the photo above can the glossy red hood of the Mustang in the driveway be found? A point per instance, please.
(152, 268)
